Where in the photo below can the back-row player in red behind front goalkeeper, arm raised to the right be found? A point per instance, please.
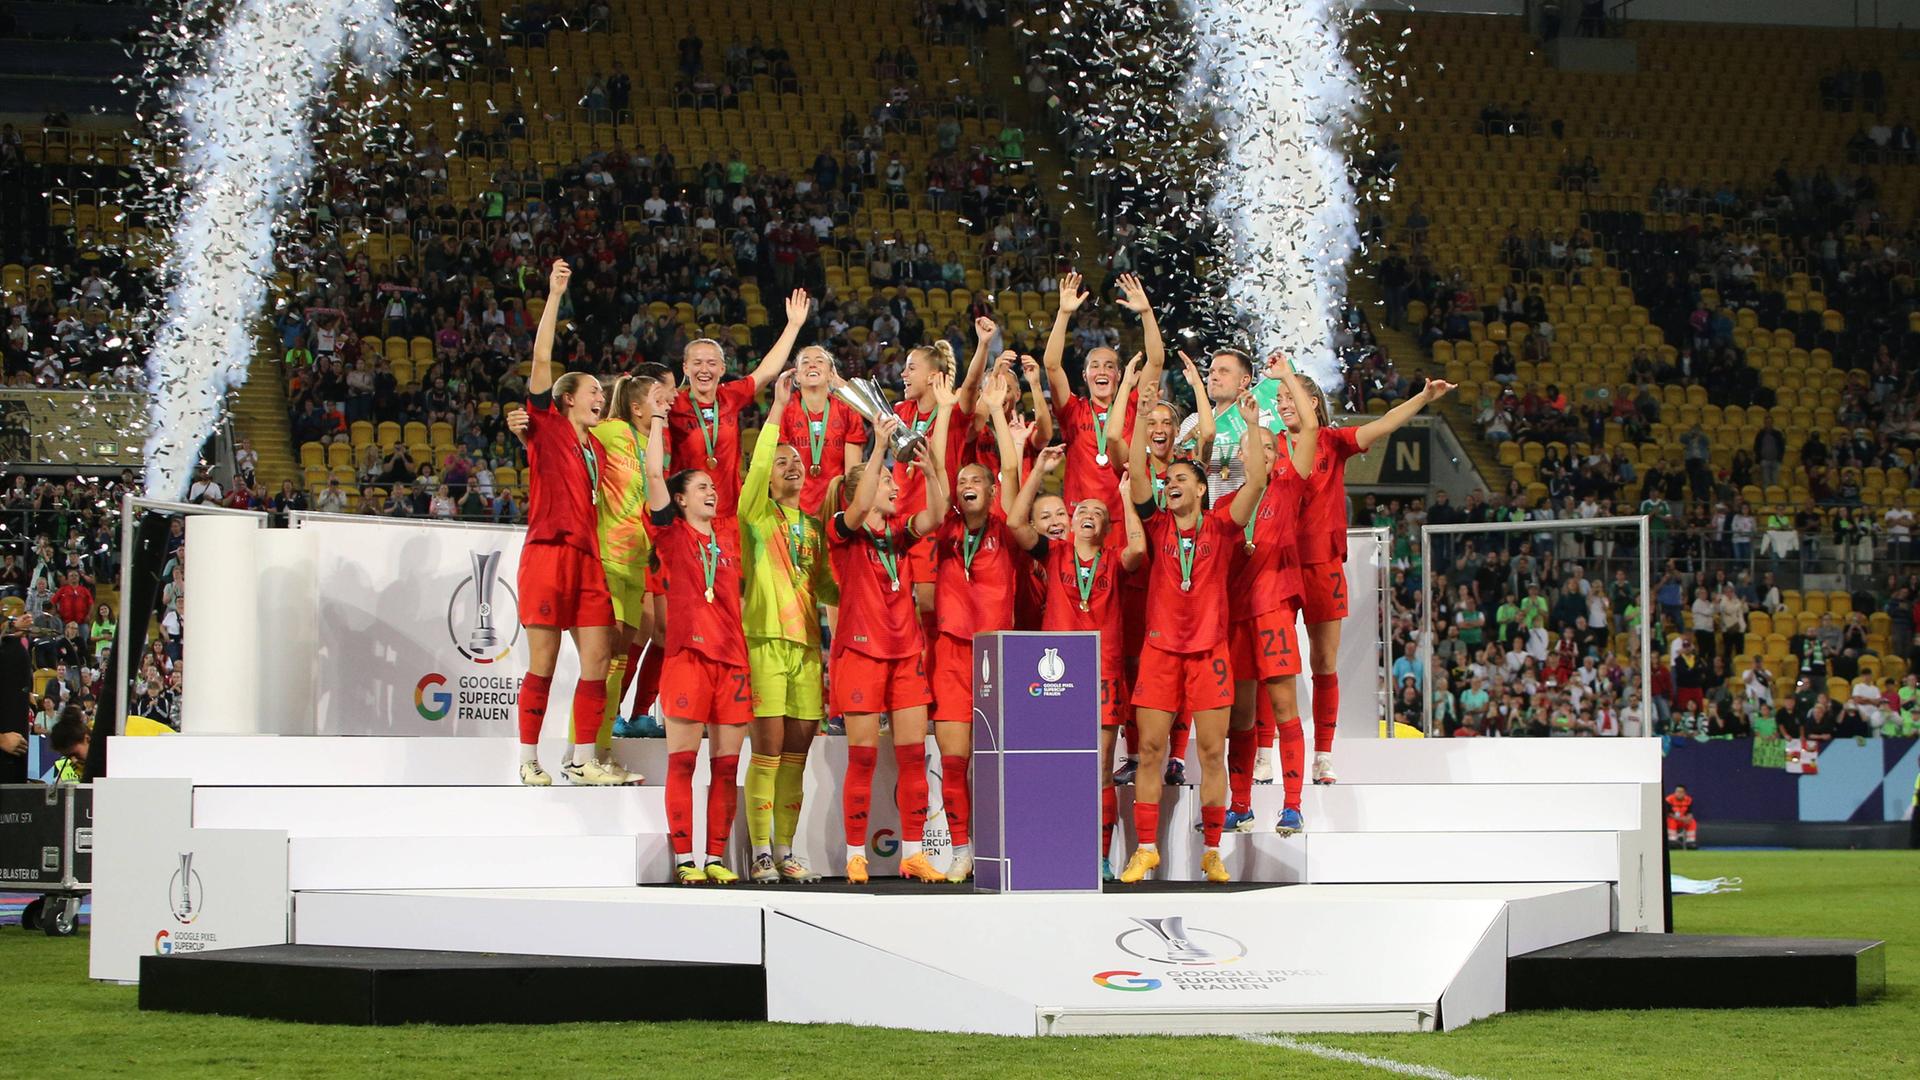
(706, 418)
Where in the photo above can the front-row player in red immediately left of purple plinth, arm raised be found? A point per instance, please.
(978, 570)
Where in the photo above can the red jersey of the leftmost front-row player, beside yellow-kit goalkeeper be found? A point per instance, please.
(709, 627)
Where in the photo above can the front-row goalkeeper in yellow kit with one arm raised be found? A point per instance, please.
(788, 581)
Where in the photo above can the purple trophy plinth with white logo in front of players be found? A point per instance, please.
(1038, 762)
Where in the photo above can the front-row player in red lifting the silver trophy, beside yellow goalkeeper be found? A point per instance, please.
(878, 654)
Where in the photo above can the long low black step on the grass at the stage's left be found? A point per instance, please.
(327, 985)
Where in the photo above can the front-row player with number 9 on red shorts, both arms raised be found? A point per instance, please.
(1186, 664)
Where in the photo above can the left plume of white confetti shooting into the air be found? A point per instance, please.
(247, 122)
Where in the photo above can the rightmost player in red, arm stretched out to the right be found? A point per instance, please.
(1322, 541)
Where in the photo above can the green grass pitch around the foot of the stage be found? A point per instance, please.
(57, 1023)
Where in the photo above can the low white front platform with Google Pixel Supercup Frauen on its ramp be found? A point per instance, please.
(1314, 958)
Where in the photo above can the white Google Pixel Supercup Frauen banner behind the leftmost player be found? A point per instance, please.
(420, 631)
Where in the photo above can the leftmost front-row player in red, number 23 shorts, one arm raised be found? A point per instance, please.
(706, 687)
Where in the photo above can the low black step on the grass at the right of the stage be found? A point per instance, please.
(1696, 971)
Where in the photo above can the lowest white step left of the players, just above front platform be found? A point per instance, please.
(469, 862)
